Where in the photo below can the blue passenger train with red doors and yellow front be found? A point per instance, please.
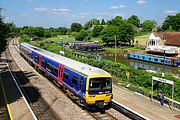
(89, 86)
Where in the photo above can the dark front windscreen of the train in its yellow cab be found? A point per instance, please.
(100, 84)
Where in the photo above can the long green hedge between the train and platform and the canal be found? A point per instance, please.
(139, 80)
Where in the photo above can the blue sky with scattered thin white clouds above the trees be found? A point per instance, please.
(62, 13)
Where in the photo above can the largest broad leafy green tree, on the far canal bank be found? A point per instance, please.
(119, 31)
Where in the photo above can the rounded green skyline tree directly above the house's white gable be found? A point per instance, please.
(147, 25)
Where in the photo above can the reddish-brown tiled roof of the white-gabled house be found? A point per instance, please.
(171, 38)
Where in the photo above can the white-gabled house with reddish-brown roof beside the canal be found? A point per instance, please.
(168, 42)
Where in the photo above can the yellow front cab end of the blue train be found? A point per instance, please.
(99, 91)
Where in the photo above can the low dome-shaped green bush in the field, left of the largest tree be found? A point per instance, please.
(82, 36)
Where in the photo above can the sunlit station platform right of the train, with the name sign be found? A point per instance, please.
(144, 106)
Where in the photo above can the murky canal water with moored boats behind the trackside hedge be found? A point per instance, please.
(121, 57)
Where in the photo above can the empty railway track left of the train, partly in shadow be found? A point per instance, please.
(39, 106)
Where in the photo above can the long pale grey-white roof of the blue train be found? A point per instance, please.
(73, 64)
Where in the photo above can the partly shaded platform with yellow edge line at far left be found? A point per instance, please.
(17, 108)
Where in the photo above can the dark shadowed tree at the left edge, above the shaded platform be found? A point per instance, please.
(3, 33)
